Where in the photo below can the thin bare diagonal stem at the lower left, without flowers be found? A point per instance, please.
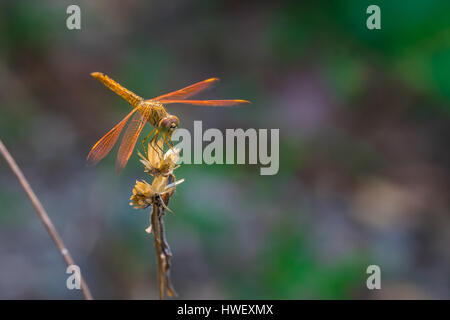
(43, 216)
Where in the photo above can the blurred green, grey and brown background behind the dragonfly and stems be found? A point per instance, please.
(364, 119)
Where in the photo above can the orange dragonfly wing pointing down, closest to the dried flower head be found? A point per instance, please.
(129, 139)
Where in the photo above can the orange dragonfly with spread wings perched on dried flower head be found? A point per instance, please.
(152, 111)
